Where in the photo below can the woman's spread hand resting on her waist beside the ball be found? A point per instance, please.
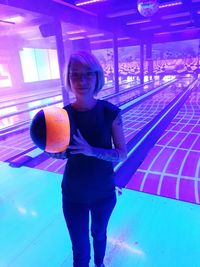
(80, 145)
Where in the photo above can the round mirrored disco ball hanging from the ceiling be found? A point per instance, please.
(147, 8)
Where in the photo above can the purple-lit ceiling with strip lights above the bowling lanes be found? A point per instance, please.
(100, 21)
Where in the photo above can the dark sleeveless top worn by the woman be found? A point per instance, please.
(87, 179)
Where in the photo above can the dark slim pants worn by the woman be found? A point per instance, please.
(77, 220)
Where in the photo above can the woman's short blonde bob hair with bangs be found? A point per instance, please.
(90, 61)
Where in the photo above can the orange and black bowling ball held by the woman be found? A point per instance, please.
(50, 129)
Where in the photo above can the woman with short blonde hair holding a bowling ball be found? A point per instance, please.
(88, 185)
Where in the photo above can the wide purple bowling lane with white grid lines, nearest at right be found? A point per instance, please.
(172, 167)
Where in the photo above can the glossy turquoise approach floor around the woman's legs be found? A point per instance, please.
(144, 231)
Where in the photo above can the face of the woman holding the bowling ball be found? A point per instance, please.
(82, 80)
